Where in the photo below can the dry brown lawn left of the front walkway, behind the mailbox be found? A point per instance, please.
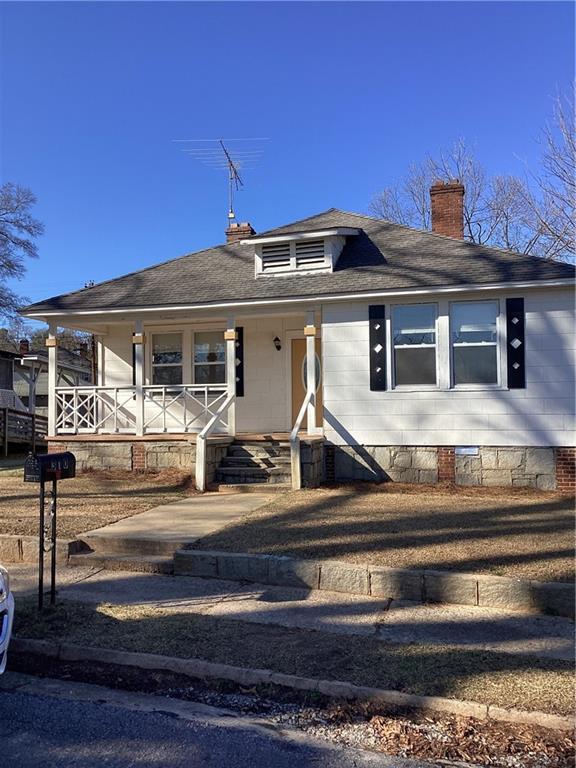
(91, 500)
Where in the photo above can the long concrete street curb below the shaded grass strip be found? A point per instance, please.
(198, 668)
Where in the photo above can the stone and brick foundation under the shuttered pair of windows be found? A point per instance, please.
(542, 467)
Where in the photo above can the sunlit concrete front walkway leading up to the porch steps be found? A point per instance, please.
(187, 520)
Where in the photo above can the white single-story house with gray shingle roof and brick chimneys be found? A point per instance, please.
(336, 347)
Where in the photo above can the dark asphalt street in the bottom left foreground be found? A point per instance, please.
(58, 724)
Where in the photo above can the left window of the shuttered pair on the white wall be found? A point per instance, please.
(414, 340)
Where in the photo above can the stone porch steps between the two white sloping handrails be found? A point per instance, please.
(262, 462)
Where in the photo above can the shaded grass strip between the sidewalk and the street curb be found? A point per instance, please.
(489, 677)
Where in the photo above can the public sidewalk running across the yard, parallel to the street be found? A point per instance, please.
(334, 612)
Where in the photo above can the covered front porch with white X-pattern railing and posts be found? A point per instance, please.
(195, 378)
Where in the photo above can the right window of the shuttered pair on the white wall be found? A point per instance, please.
(474, 342)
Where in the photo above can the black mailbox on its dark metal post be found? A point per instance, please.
(49, 467)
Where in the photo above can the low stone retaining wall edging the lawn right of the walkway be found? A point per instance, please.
(424, 586)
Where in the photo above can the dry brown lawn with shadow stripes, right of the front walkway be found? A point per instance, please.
(514, 532)
